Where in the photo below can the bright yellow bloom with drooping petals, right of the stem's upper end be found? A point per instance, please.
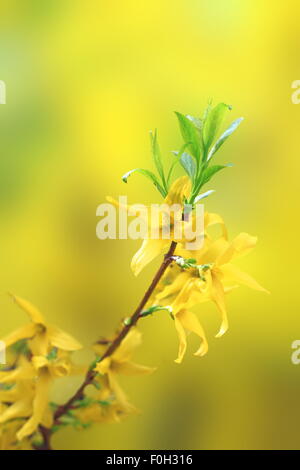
(215, 276)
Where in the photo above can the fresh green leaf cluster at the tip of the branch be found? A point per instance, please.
(201, 141)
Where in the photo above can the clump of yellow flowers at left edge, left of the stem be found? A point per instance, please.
(32, 375)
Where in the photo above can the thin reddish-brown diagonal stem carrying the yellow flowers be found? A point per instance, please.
(91, 374)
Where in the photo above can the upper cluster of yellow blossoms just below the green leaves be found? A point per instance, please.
(209, 277)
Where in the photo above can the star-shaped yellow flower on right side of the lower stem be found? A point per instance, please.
(120, 363)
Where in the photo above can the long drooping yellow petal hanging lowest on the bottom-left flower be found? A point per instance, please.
(40, 405)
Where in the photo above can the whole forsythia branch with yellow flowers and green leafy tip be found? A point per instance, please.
(40, 353)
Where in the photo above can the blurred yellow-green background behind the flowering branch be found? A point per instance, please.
(86, 81)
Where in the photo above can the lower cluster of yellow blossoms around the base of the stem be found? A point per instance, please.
(37, 355)
